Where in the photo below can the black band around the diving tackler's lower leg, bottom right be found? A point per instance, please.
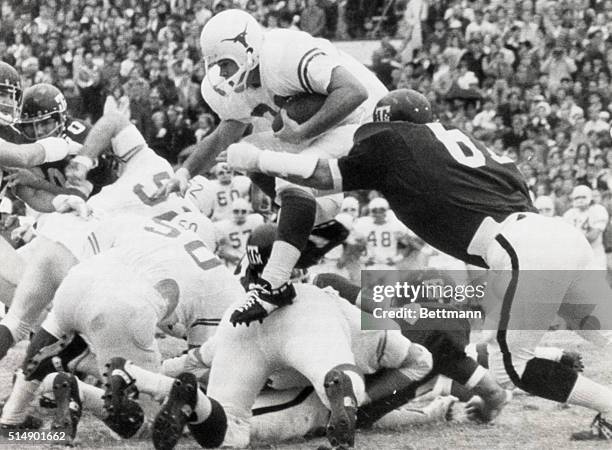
(548, 379)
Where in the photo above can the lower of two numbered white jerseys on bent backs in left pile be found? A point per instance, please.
(159, 251)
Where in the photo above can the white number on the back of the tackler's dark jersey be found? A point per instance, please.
(462, 149)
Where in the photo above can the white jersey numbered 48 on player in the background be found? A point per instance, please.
(381, 239)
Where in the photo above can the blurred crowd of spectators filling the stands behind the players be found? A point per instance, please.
(532, 79)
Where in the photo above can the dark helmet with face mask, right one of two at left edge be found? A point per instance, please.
(43, 112)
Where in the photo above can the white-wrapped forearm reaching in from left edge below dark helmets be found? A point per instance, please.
(31, 155)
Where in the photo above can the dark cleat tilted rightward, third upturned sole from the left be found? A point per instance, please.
(176, 411)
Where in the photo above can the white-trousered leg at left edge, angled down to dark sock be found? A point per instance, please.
(42, 276)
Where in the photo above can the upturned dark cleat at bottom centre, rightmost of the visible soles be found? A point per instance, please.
(340, 429)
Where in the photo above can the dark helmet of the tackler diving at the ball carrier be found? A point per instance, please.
(404, 105)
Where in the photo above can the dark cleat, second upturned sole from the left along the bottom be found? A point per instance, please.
(124, 415)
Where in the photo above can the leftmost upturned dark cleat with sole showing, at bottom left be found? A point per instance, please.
(69, 406)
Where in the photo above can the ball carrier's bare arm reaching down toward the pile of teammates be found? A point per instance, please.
(203, 157)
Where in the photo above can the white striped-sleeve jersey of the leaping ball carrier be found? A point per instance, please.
(290, 63)
